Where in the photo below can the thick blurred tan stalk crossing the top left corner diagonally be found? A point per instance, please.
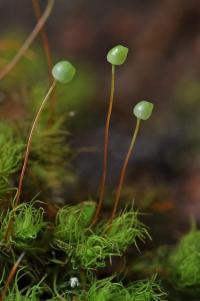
(28, 41)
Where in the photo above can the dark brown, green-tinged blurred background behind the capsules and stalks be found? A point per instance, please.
(163, 66)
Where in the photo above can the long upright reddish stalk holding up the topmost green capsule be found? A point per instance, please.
(105, 155)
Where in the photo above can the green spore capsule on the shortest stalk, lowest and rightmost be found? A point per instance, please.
(143, 110)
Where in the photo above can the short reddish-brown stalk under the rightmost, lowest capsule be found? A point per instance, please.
(123, 170)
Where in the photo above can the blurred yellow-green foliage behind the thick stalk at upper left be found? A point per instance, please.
(31, 67)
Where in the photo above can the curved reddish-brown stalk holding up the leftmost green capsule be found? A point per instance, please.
(26, 156)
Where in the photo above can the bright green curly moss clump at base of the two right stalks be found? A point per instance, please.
(110, 240)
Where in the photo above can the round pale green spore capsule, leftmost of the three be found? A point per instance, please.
(63, 72)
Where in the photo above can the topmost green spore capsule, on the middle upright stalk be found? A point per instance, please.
(117, 55)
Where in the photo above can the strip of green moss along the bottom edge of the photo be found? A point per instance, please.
(99, 290)
